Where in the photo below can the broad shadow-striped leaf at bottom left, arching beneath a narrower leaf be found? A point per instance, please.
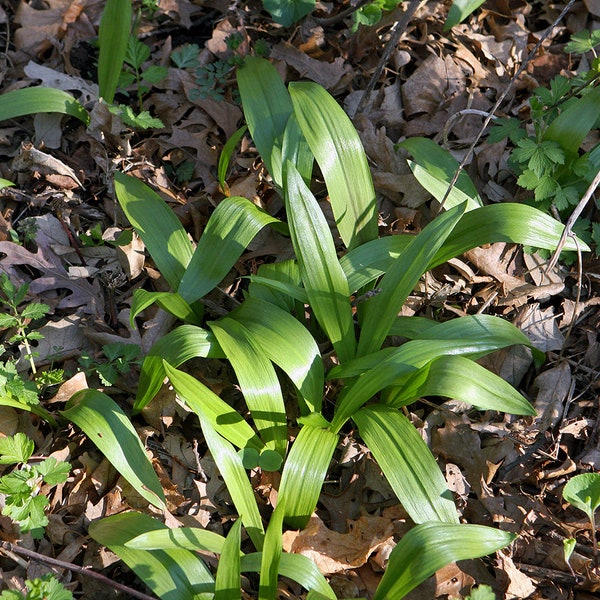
(172, 574)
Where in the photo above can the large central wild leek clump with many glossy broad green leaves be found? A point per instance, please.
(291, 310)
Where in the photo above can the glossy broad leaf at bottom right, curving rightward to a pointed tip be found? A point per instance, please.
(430, 546)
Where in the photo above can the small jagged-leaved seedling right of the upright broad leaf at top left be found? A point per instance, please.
(134, 74)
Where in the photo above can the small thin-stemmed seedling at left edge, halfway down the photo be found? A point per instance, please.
(11, 297)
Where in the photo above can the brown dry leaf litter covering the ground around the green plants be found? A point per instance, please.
(504, 471)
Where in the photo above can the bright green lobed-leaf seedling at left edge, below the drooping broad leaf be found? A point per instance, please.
(24, 501)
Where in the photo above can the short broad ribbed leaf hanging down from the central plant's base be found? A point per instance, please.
(304, 473)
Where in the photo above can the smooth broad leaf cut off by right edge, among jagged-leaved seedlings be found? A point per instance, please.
(572, 125)
